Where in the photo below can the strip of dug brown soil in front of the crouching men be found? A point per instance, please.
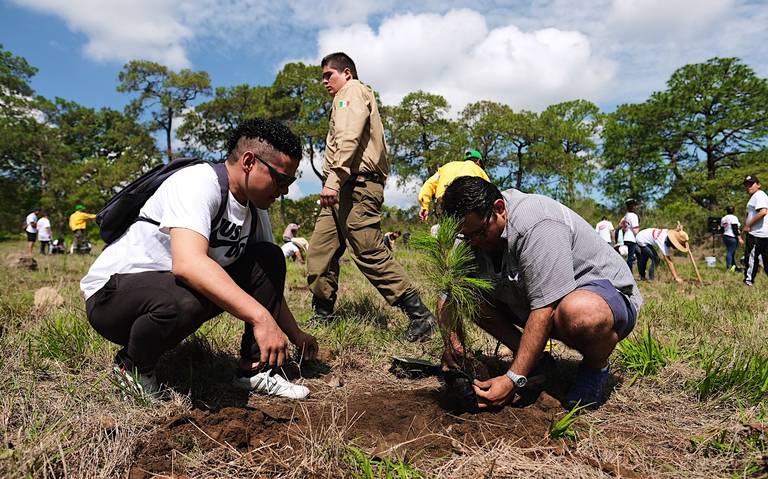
(412, 423)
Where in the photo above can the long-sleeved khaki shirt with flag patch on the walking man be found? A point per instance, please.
(355, 141)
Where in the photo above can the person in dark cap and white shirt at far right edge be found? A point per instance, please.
(756, 228)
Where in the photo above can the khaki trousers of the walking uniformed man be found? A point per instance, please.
(359, 227)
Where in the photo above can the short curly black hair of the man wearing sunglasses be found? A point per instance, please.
(268, 131)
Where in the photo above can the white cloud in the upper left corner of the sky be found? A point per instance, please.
(122, 30)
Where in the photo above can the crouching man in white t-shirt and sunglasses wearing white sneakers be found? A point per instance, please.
(158, 283)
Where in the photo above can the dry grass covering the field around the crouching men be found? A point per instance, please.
(60, 415)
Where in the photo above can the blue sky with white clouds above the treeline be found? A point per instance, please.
(527, 53)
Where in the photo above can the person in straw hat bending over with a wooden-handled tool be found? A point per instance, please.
(664, 239)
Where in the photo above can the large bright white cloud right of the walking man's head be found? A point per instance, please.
(458, 56)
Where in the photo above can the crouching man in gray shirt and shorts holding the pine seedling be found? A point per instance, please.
(553, 276)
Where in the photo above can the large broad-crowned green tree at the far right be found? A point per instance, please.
(691, 142)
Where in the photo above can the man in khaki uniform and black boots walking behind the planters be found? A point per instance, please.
(355, 169)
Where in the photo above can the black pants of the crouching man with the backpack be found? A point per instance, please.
(151, 312)
